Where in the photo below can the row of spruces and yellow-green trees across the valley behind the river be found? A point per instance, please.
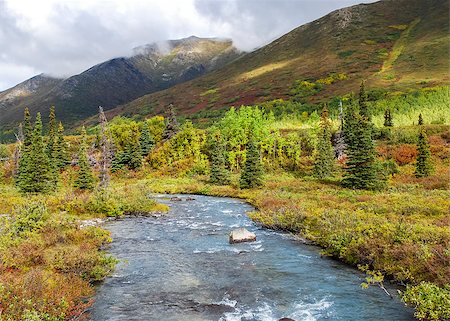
(41, 158)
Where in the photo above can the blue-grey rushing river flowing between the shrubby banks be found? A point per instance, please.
(181, 267)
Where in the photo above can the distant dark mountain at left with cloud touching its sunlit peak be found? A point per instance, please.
(117, 81)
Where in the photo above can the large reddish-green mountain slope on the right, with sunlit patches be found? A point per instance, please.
(397, 45)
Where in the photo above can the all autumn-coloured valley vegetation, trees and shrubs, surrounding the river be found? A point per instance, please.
(383, 205)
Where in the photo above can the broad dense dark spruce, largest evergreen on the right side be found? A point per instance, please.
(361, 167)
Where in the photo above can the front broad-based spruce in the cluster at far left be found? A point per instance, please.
(37, 177)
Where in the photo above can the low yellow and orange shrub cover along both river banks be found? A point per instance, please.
(401, 232)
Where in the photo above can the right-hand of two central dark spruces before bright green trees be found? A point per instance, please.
(252, 173)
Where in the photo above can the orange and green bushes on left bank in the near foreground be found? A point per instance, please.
(48, 264)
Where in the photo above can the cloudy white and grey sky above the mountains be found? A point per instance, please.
(65, 37)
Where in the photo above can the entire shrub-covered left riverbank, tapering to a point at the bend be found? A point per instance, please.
(52, 251)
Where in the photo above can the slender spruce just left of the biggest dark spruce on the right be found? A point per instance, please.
(324, 158)
